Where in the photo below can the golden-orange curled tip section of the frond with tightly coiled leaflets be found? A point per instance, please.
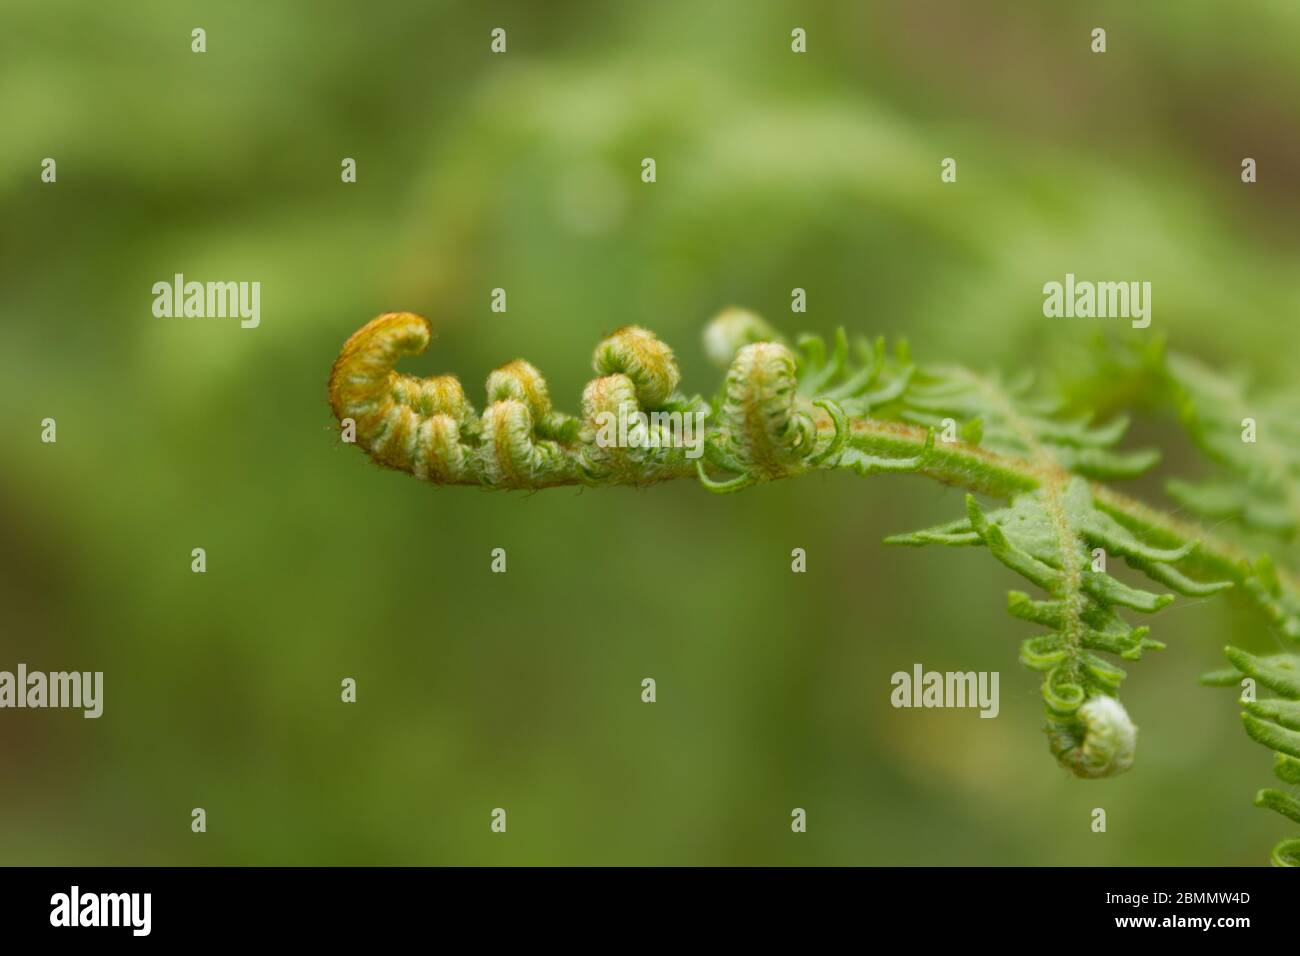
(428, 429)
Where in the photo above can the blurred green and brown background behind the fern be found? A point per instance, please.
(523, 172)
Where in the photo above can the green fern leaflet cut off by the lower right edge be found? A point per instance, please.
(1276, 724)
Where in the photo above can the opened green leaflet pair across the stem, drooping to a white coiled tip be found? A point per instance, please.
(1048, 535)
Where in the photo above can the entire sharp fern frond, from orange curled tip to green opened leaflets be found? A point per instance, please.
(788, 409)
